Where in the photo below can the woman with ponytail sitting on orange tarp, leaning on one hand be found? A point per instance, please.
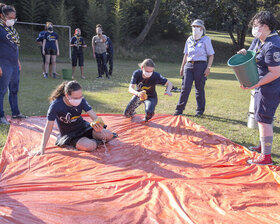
(67, 104)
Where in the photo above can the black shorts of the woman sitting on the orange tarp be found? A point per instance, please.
(72, 138)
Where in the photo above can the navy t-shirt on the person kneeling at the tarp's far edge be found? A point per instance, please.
(148, 84)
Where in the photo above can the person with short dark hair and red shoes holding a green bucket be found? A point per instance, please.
(266, 45)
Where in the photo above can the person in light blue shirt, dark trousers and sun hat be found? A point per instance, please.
(195, 67)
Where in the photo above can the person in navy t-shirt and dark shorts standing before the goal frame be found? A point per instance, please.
(50, 49)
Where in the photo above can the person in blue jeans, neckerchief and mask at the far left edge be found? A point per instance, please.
(9, 62)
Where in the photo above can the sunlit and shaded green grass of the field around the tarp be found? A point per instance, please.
(226, 104)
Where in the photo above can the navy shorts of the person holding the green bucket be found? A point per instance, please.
(266, 101)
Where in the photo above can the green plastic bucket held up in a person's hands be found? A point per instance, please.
(245, 68)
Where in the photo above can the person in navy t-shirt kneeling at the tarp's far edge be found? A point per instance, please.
(143, 87)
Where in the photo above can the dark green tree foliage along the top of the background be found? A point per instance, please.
(127, 20)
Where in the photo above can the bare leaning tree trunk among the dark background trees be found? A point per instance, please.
(138, 40)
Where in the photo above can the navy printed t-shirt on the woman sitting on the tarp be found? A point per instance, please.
(68, 118)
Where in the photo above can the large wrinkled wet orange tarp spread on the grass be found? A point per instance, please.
(169, 170)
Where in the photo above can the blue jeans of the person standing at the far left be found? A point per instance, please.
(9, 80)
